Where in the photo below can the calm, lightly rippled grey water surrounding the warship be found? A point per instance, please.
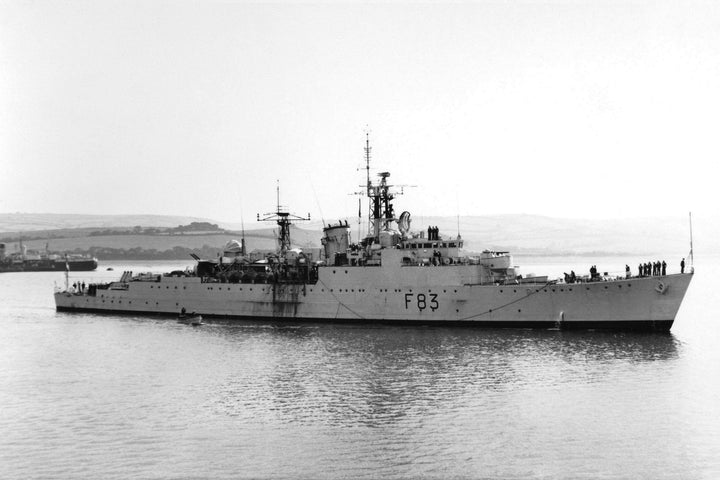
(88, 396)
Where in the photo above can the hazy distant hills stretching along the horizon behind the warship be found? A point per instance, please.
(520, 234)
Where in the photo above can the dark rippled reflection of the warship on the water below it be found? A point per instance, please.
(357, 375)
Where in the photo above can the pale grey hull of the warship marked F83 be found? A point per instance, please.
(649, 303)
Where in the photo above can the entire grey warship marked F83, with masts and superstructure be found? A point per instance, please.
(394, 275)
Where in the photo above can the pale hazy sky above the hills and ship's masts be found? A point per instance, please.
(562, 108)
